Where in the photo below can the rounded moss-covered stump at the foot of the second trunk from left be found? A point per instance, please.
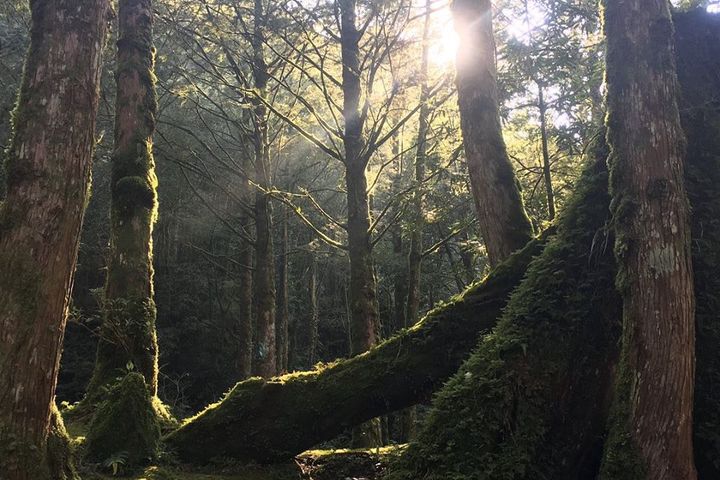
(125, 425)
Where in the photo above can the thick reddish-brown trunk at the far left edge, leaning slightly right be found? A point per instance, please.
(48, 176)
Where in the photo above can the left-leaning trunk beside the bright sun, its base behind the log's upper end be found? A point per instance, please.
(503, 223)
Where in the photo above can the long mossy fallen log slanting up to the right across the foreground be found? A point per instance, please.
(271, 420)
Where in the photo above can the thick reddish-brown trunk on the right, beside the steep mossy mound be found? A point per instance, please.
(651, 426)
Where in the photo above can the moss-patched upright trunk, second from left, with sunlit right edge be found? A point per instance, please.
(128, 331)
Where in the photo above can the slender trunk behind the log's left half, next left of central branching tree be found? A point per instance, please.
(265, 363)
